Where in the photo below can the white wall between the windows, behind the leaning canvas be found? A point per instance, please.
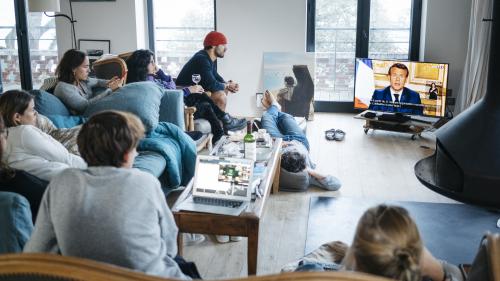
(253, 27)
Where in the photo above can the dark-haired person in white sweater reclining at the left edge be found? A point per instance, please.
(27, 147)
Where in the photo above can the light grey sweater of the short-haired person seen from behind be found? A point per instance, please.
(108, 214)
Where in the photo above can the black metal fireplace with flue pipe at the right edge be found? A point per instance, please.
(466, 164)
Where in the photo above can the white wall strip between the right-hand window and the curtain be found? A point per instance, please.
(445, 35)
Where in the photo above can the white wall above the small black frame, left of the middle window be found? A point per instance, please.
(117, 21)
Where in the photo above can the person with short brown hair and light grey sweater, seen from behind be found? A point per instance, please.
(118, 214)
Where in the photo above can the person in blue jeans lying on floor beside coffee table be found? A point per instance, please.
(295, 151)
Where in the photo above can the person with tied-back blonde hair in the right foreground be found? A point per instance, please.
(386, 243)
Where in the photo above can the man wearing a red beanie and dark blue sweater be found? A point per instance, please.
(203, 63)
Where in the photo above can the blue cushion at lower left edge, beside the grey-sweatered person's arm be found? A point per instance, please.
(15, 219)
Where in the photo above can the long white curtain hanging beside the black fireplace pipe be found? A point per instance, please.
(474, 77)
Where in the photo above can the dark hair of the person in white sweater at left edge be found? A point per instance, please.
(12, 102)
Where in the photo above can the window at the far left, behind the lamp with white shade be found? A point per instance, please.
(42, 55)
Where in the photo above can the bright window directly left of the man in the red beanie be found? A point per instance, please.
(179, 30)
